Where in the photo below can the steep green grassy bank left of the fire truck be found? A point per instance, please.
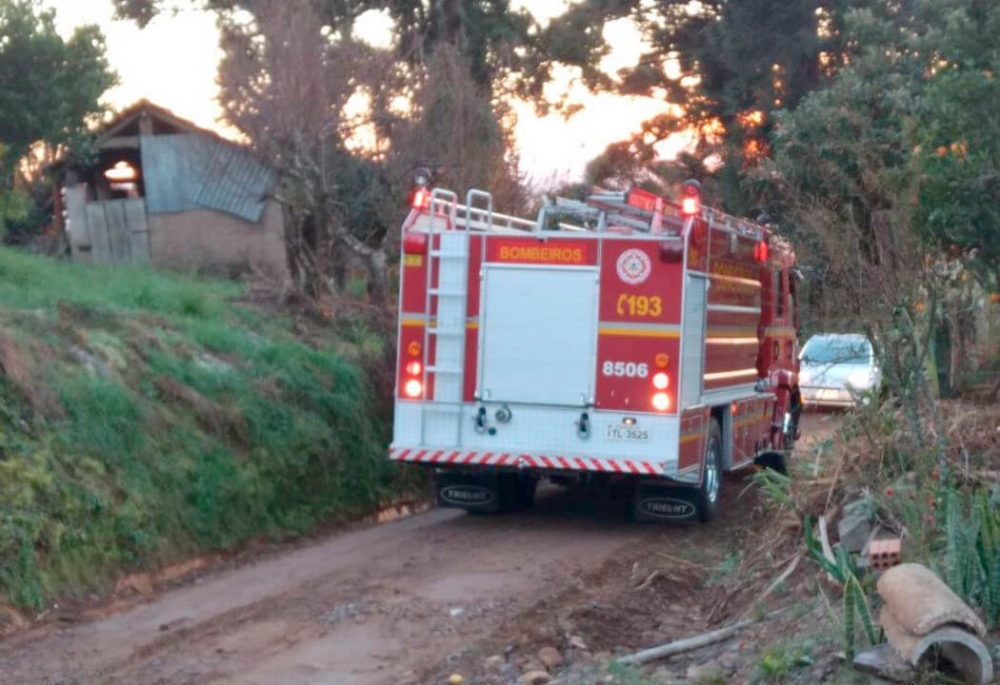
(147, 416)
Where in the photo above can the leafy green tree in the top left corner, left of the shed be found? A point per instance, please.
(49, 89)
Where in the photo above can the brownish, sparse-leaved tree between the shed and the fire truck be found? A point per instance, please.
(345, 124)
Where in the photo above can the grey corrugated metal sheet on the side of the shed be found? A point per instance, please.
(190, 171)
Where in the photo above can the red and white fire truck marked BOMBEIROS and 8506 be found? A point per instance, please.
(622, 339)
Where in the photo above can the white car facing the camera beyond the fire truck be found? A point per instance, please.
(837, 370)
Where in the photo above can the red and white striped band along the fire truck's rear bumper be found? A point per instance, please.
(535, 461)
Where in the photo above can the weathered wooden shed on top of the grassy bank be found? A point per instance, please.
(165, 192)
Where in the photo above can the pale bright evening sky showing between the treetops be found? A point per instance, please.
(173, 63)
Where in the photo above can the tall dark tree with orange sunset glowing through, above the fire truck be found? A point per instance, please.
(729, 66)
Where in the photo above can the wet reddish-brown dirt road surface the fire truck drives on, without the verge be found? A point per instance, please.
(367, 607)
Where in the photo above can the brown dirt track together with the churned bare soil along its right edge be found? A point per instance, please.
(411, 600)
